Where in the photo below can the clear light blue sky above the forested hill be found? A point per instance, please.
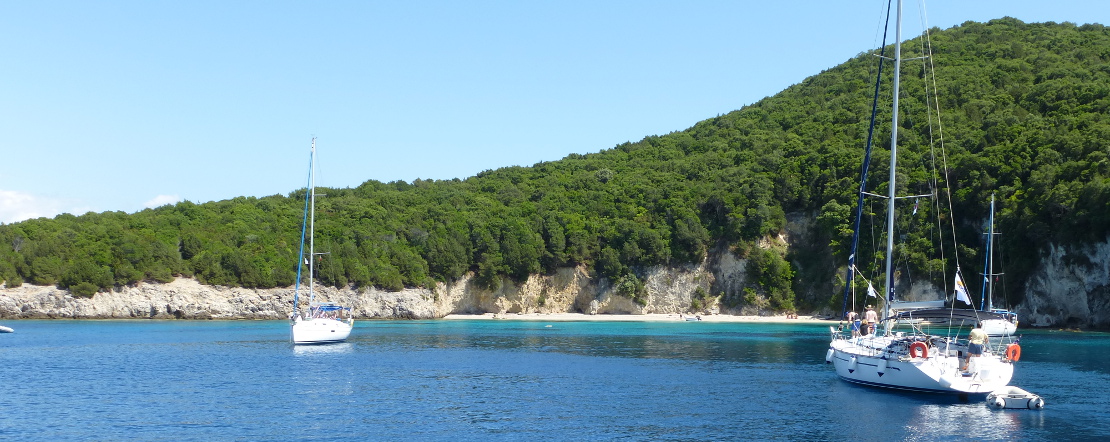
(113, 106)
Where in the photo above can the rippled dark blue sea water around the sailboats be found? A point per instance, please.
(503, 380)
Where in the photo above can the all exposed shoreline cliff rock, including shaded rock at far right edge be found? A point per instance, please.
(1072, 288)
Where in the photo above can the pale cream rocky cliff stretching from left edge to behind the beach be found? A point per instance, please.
(670, 290)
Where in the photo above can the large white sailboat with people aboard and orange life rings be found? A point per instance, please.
(910, 360)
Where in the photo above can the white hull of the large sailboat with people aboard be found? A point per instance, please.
(885, 363)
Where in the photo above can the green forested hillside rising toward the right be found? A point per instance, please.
(1025, 115)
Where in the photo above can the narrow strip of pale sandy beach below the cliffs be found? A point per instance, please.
(633, 318)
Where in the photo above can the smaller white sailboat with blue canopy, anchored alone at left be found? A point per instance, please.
(325, 323)
